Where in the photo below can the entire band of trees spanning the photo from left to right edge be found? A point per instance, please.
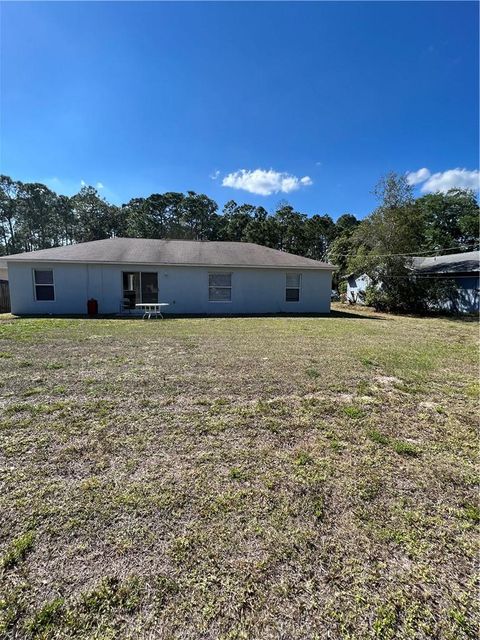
(32, 217)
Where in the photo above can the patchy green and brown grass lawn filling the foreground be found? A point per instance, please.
(251, 478)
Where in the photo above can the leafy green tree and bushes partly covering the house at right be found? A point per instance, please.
(399, 228)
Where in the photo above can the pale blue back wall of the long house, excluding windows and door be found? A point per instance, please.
(184, 288)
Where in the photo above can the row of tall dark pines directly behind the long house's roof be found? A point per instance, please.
(32, 217)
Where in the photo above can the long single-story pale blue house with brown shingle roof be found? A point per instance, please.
(194, 277)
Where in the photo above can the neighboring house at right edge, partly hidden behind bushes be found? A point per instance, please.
(462, 268)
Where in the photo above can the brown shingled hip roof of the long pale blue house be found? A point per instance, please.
(172, 252)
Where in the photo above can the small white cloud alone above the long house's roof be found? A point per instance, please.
(263, 182)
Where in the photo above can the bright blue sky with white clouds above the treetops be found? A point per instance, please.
(312, 101)
